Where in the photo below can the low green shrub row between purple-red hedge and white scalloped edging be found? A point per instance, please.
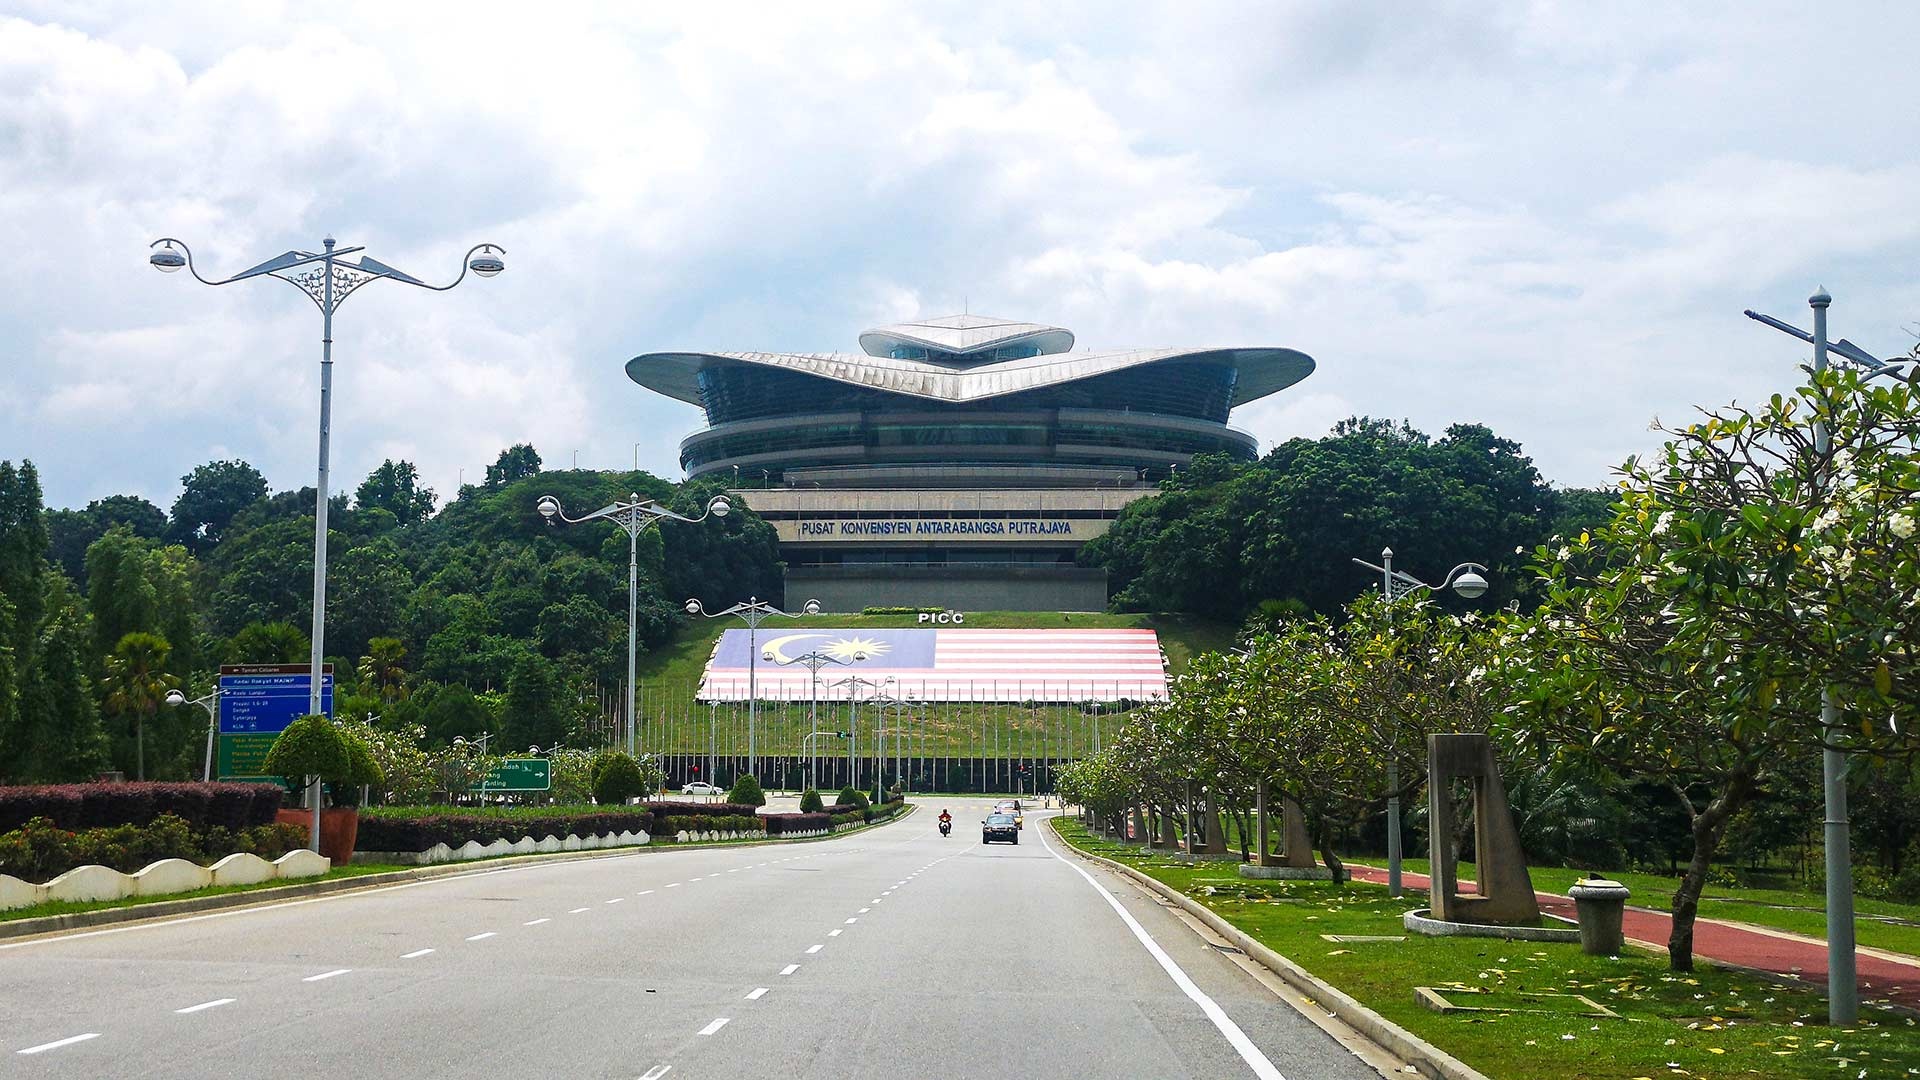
(41, 850)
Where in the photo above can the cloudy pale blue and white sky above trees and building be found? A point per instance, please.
(1520, 214)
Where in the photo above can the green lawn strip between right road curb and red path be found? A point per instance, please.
(1706, 1025)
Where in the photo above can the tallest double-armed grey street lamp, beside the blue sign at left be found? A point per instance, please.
(327, 278)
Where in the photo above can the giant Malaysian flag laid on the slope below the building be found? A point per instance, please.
(942, 666)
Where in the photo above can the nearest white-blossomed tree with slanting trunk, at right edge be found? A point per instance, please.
(1748, 568)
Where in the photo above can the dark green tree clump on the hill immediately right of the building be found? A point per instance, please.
(1226, 537)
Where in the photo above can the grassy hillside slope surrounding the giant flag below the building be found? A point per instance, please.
(675, 724)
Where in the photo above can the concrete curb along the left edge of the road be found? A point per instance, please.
(262, 896)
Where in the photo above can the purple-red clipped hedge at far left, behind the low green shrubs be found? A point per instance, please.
(99, 806)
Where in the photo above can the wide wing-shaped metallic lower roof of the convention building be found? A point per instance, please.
(1260, 370)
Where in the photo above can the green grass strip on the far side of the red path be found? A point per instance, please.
(1796, 912)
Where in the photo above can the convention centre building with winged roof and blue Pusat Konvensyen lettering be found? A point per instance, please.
(957, 462)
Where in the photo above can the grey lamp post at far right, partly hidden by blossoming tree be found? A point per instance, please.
(1842, 987)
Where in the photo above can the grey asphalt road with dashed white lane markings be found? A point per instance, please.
(888, 954)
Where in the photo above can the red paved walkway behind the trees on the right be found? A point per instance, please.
(1883, 975)
